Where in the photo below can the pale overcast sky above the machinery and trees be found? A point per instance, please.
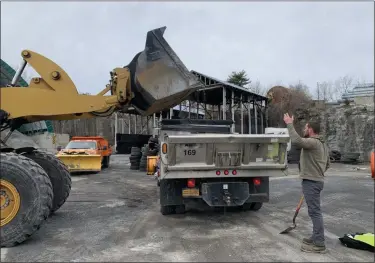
(276, 42)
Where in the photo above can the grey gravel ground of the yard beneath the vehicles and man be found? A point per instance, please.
(114, 216)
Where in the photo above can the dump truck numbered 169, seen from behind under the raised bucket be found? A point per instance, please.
(201, 160)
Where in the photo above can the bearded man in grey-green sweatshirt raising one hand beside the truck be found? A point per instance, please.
(314, 162)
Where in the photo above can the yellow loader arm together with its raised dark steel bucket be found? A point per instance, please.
(156, 79)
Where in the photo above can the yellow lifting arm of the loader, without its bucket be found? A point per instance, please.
(53, 95)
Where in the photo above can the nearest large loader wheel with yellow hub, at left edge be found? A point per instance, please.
(26, 198)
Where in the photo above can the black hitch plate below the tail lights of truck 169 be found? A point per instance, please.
(225, 194)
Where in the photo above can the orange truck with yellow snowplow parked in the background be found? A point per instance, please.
(86, 154)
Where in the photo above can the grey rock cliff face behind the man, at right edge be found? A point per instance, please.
(350, 129)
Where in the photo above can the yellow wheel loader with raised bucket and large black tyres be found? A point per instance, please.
(34, 183)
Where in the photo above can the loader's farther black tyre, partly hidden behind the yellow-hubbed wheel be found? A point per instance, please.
(57, 172)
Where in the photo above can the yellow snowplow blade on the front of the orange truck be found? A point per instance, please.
(81, 162)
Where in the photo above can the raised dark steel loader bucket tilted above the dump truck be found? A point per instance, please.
(159, 79)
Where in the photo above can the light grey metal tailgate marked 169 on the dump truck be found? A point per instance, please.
(225, 151)
